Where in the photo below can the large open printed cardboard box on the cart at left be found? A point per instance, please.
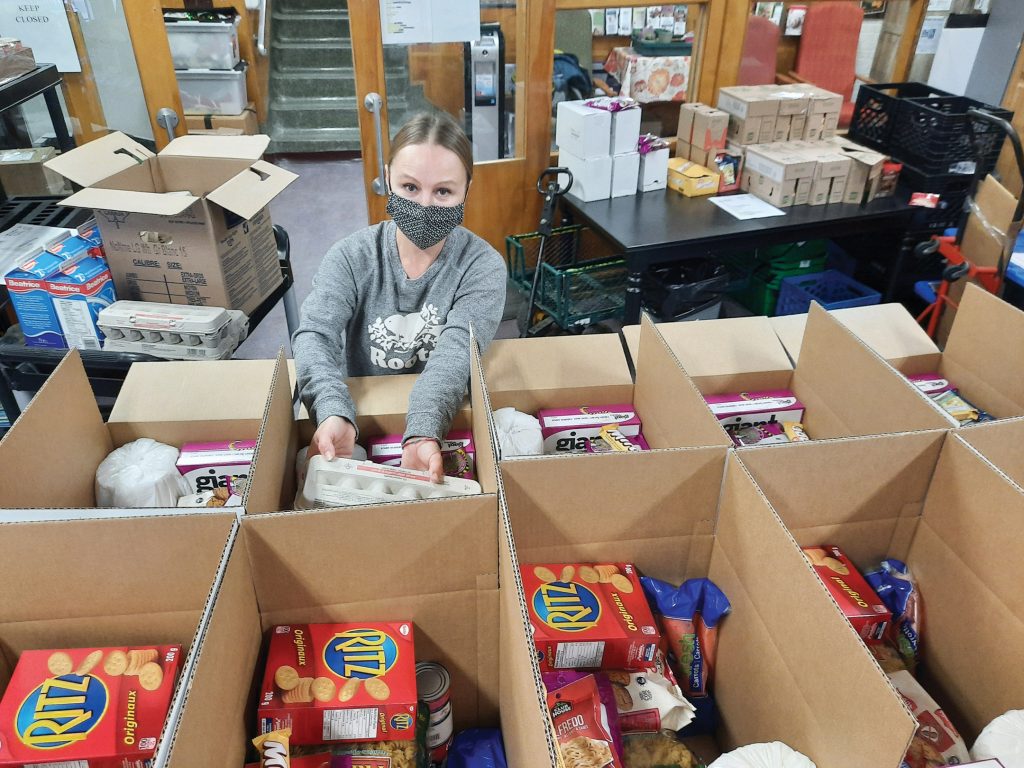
(190, 226)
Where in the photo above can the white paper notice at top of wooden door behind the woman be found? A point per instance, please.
(408, 22)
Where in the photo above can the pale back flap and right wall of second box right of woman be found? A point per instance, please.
(845, 388)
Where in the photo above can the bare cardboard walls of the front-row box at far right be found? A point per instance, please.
(934, 502)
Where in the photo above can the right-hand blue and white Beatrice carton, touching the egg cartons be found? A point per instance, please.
(79, 292)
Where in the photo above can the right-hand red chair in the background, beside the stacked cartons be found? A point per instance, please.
(828, 56)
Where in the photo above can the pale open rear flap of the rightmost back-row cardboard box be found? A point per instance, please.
(888, 329)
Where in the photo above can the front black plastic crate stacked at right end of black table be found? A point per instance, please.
(935, 136)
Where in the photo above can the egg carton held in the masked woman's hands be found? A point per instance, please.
(344, 483)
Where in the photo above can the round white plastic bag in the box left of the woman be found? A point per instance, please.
(141, 475)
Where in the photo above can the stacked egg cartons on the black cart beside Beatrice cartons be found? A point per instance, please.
(173, 331)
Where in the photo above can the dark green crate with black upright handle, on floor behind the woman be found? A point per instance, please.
(580, 284)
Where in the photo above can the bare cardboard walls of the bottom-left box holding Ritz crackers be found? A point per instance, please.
(90, 602)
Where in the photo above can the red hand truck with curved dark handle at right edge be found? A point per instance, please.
(958, 265)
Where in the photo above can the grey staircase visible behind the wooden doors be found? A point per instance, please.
(313, 79)
